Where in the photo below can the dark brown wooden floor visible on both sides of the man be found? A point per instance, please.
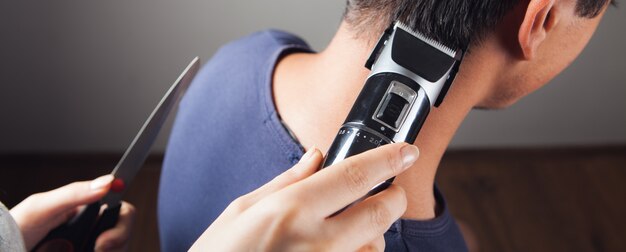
(514, 200)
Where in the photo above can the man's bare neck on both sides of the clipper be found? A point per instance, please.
(333, 78)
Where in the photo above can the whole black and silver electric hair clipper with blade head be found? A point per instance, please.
(410, 74)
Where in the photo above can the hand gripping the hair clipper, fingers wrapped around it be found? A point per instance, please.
(291, 212)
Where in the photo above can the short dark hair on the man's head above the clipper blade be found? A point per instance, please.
(455, 23)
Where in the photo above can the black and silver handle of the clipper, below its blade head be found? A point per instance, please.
(390, 108)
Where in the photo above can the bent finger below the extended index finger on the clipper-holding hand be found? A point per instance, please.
(369, 219)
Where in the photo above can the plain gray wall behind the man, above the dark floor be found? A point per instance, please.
(83, 75)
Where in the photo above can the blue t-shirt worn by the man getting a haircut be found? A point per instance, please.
(229, 140)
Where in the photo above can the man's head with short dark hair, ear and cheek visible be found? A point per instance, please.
(534, 39)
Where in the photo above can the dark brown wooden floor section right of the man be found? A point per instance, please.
(540, 200)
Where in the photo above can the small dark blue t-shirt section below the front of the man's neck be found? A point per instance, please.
(439, 234)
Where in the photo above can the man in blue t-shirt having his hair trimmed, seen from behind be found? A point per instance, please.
(266, 96)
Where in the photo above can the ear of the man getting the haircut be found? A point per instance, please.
(540, 18)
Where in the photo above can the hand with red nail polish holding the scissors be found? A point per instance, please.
(38, 214)
